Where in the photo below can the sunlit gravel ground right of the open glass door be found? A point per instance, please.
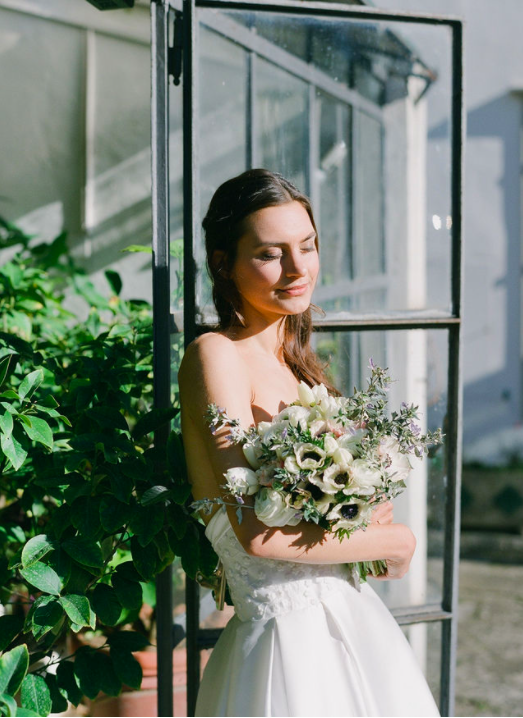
(489, 679)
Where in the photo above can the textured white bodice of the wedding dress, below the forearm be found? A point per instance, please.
(261, 587)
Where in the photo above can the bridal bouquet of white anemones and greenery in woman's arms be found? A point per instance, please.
(325, 459)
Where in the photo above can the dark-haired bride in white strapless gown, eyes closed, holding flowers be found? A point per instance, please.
(306, 640)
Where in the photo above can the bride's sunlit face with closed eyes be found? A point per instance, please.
(277, 261)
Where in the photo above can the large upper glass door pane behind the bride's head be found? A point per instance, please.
(347, 110)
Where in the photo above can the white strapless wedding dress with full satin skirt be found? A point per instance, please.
(306, 640)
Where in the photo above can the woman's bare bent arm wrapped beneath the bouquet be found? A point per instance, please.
(213, 371)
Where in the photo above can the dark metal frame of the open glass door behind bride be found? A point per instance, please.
(446, 613)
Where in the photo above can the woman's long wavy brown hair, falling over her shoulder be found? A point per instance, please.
(223, 227)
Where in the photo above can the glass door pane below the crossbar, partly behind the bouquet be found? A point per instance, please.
(417, 362)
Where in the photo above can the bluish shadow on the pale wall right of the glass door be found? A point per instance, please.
(492, 281)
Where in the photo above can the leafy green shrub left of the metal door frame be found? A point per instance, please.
(91, 510)
